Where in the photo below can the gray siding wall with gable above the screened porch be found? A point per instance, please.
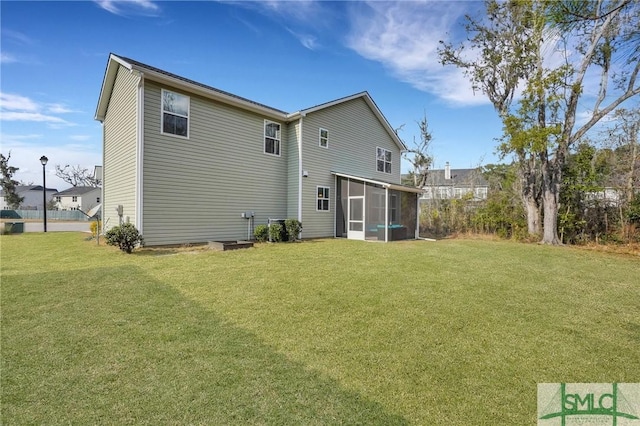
(354, 134)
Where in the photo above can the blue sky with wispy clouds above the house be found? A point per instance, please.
(288, 55)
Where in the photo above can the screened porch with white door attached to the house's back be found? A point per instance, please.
(373, 210)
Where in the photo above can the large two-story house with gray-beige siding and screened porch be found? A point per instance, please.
(185, 162)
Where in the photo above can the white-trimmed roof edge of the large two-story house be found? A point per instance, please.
(164, 77)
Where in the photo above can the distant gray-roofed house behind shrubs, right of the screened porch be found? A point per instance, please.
(451, 183)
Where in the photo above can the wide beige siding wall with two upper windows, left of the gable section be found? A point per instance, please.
(195, 189)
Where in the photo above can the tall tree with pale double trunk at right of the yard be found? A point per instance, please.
(594, 40)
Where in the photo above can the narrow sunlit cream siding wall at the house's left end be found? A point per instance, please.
(120, 153)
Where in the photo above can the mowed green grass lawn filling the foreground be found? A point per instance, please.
(456, 332)
